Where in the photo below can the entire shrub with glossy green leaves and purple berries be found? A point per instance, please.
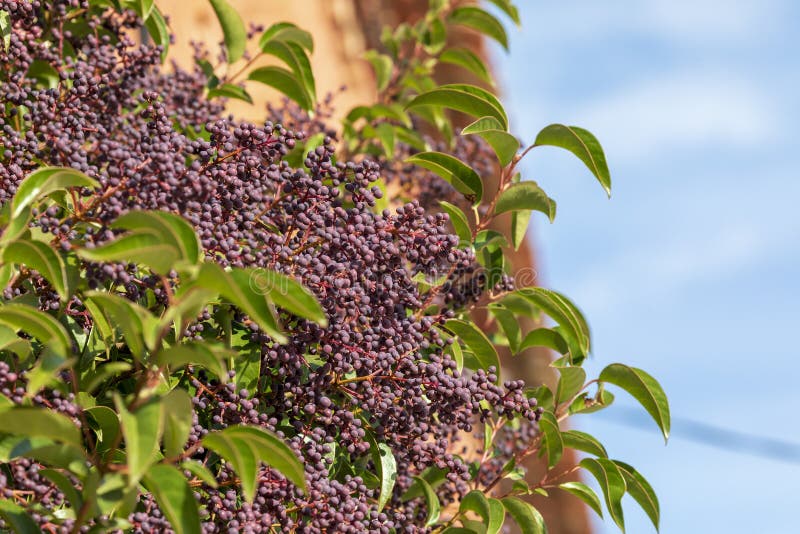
(211, 325)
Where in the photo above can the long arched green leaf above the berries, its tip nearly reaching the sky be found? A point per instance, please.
(468, 99)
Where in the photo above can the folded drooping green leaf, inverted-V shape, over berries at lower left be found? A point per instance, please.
(244, 446)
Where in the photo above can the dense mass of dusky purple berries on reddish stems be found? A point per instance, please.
(379, 371)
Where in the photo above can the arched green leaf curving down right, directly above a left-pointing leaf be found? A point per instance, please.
(172, 229)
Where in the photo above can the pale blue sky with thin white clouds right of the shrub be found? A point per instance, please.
(690, 271)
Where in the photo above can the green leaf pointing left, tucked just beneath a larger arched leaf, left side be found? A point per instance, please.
(145, 248)
